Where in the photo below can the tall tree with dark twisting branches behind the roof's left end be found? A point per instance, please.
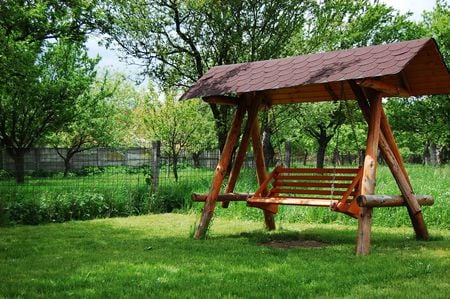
(179, 40)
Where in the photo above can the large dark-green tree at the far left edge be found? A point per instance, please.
(43, 69)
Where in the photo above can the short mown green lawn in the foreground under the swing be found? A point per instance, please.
(154, 257)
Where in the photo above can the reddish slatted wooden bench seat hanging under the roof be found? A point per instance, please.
(335, 188)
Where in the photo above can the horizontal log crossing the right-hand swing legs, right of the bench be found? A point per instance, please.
(391, 201)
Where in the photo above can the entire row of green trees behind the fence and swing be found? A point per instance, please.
(52, 94)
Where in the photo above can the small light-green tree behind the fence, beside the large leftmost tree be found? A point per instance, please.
(93, 126)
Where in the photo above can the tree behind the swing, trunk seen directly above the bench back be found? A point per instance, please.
(338, 25)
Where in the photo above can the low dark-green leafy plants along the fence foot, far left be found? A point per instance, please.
(73, 205)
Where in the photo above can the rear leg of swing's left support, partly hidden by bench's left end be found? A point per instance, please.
(261, 170)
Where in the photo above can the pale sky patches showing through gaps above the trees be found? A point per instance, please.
(111, 61)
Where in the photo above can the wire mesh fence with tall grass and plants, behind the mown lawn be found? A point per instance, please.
(104, 182)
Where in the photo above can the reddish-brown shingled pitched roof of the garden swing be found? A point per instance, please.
(410, 68)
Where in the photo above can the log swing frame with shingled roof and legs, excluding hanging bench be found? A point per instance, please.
(386, 76)
